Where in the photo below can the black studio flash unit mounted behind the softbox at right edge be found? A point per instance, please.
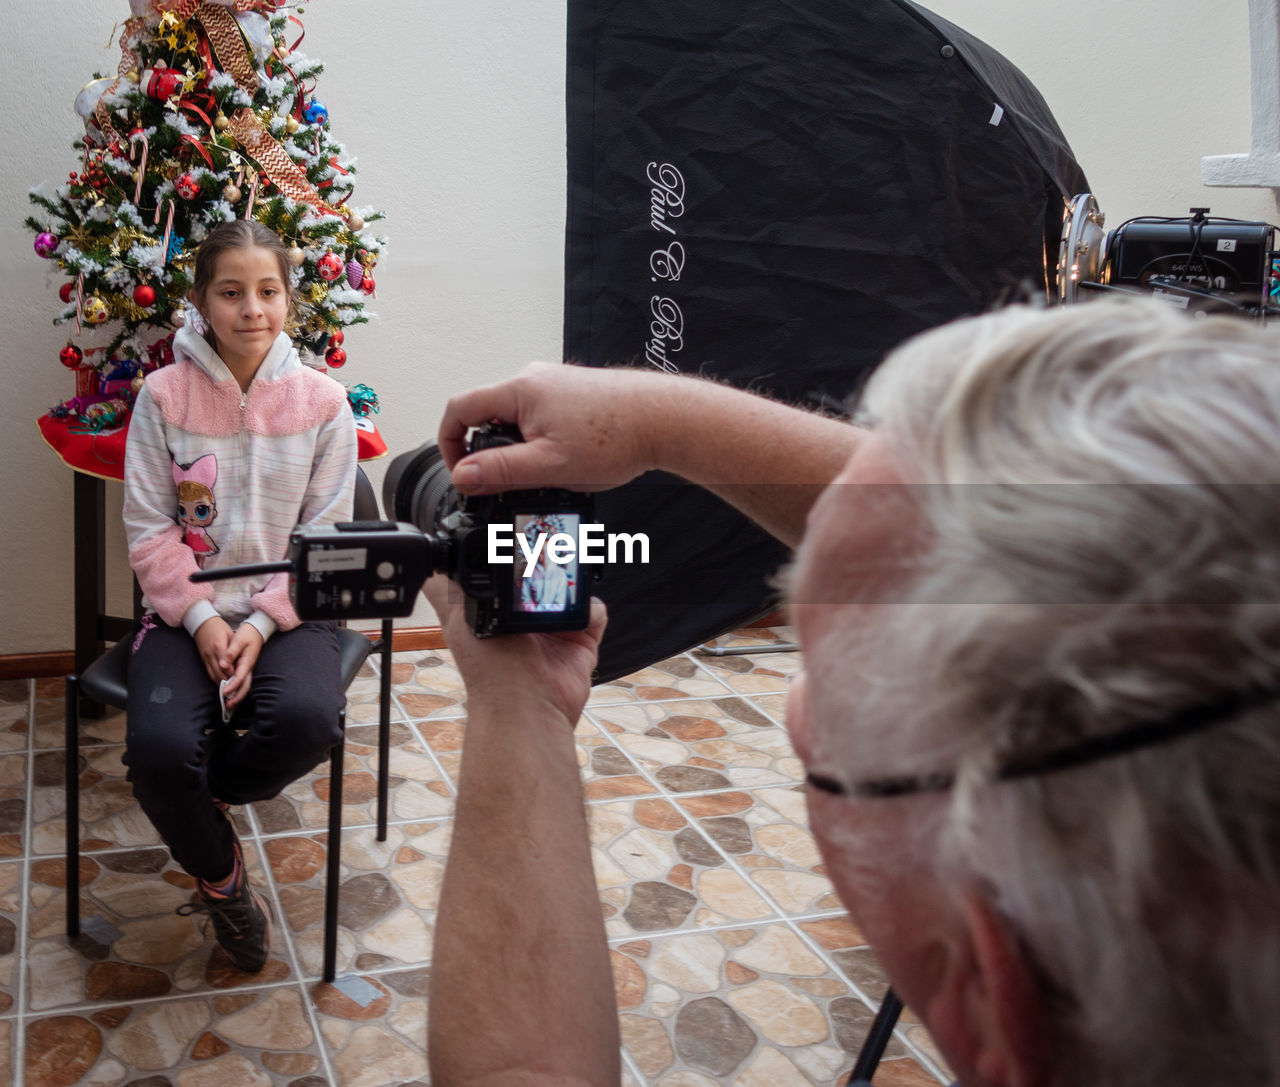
(1201, 263)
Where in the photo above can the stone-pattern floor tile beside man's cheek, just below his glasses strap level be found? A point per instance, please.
(767, 833)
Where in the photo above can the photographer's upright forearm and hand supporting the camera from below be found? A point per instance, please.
(522, 989)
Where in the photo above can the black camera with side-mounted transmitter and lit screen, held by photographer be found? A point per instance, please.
(518, 558)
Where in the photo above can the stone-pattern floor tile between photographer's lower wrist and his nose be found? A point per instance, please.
(702, 746)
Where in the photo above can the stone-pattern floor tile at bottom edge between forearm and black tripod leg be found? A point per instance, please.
(752, 1004)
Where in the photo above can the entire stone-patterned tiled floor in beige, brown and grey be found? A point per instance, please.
(733, 958)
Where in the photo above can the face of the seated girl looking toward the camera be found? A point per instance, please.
(245, 304)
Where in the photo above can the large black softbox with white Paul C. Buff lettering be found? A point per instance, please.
(778, 194)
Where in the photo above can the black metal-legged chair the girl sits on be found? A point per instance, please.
(106, 682)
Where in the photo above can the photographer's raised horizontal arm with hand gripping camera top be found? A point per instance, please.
(591, 430)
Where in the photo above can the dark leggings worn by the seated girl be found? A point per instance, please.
(180, 755)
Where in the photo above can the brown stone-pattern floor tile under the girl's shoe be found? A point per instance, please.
(134, 946)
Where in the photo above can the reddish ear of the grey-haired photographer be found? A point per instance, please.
(988, 1012)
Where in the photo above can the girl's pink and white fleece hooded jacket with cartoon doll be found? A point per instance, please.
(218, 478)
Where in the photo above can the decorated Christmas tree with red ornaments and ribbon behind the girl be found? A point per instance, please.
(212, 117)
